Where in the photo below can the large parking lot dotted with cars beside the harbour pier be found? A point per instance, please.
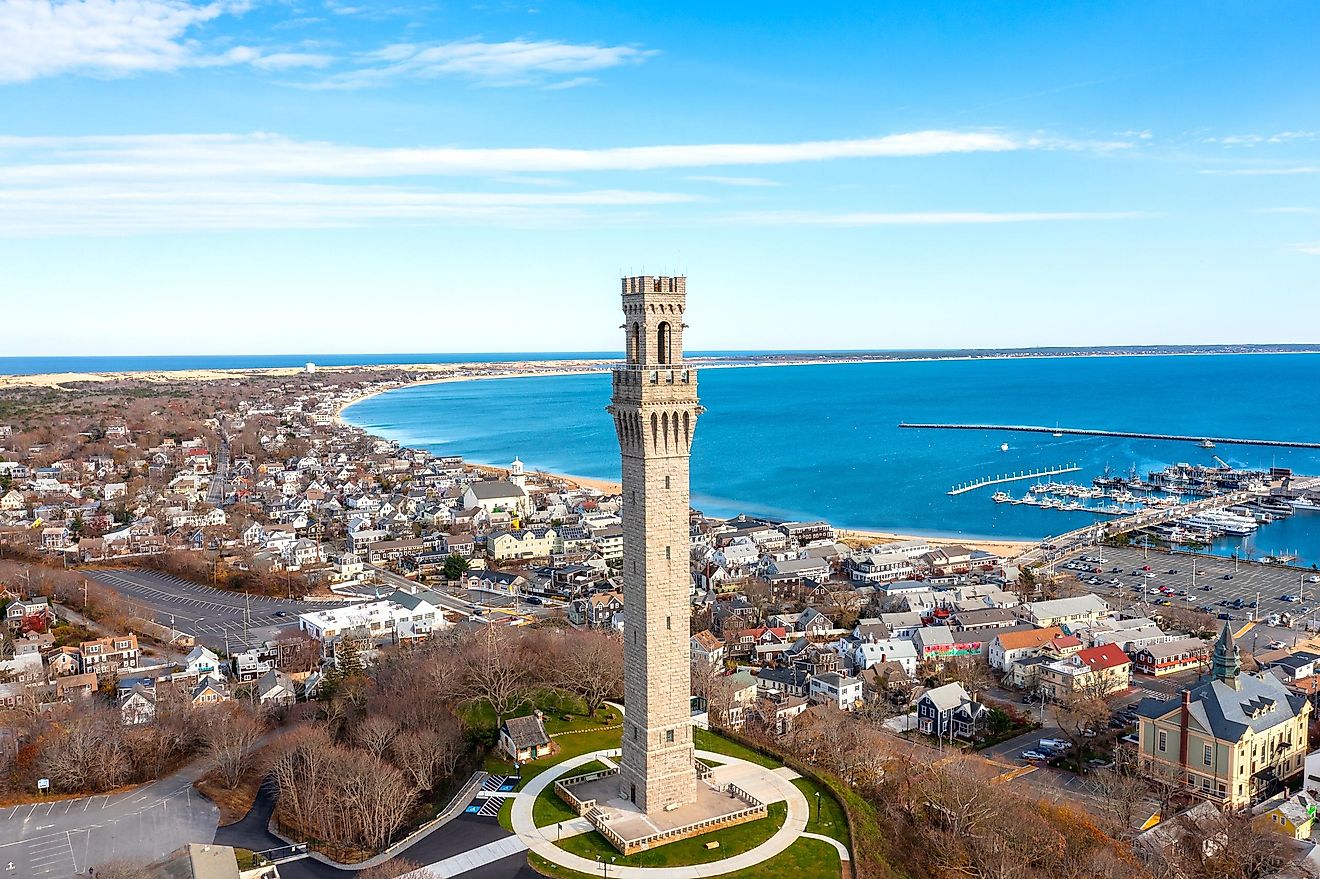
(1219, 584)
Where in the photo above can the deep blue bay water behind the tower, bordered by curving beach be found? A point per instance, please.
(823, 441)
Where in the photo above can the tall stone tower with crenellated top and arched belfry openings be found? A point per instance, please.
(655, 412)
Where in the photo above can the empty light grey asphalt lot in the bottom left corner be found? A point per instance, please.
(64, 837)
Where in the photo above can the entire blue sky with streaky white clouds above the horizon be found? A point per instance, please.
(358, 176)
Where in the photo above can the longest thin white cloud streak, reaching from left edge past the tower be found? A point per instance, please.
(27, 160)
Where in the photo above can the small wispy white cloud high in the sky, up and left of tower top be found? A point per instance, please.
(500, 64)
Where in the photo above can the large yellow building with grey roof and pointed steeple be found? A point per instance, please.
(1235, 740)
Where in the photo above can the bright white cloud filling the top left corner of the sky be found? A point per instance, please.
(121, 39)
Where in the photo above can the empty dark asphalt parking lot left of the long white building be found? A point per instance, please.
(214, 617)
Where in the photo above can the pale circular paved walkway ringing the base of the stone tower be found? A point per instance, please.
(794, 828)
